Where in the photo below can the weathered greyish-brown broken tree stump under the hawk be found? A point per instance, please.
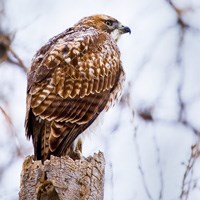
(62, 178)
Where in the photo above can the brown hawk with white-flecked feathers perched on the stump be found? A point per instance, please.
(73, 78)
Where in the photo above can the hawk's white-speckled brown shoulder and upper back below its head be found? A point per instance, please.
(80, 48)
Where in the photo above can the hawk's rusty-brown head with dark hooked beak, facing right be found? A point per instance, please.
(105, 23)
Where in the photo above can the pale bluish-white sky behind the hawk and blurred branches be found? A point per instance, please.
(148, 57)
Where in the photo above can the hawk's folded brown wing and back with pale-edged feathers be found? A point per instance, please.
(70, 83)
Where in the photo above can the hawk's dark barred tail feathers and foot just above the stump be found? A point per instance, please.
(52, 138)
